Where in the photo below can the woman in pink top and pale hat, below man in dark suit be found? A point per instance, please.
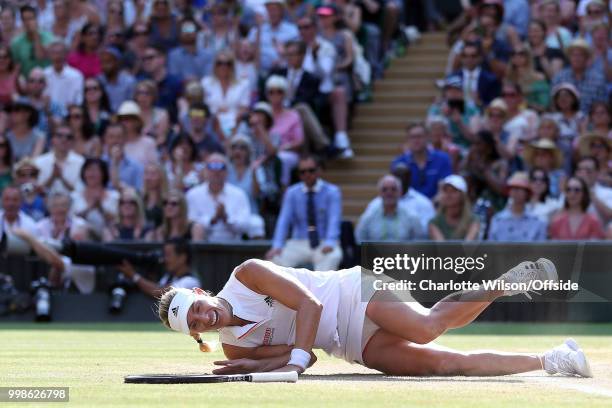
(287, 124)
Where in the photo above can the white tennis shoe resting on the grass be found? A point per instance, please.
(567, 359)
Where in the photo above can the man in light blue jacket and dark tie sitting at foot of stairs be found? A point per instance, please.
(313, 211)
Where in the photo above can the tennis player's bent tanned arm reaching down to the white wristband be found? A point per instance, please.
(257, 276)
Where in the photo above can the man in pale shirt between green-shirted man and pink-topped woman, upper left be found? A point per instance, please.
(64, 83)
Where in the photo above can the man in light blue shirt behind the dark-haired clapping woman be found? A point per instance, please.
(124, 171)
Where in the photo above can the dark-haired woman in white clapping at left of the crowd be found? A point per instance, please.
(94, 202)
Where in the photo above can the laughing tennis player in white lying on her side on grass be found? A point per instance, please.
(269, 318)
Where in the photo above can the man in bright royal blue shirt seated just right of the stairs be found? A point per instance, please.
(427, 166)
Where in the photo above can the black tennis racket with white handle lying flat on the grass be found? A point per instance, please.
(210, 378)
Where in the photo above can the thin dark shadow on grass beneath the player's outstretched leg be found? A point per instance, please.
(385, 378)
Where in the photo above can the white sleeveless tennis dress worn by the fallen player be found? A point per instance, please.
(341, 328)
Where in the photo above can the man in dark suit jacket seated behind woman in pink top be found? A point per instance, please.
(303, 94)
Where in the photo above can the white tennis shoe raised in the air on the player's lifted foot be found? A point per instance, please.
(524, 274)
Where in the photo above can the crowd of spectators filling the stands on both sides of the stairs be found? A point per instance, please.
(160, 119)
